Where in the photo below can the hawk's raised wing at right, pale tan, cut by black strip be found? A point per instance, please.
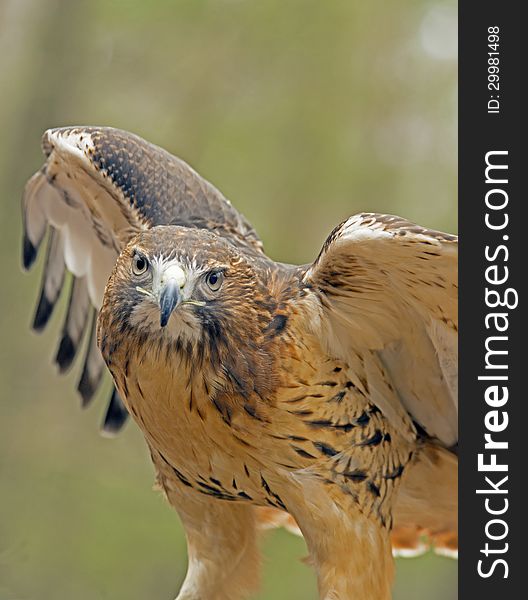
(389, 294)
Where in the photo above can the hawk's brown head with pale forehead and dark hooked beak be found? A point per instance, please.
(176, 281)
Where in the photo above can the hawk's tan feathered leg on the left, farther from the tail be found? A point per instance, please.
(221, 544)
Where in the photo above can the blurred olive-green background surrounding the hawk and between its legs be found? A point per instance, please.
(302, 112)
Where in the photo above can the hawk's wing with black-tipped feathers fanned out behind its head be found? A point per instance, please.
(98, 188)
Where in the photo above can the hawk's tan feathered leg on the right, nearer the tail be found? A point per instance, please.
(351, 552)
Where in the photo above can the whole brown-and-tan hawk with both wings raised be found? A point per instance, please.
(322, 396)
